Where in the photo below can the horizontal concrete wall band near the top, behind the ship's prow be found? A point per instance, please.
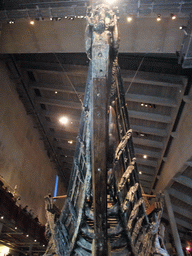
(141, 35)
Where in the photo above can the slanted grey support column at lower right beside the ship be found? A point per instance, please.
(173, 225)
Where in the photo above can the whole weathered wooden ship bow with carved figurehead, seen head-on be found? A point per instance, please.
(105, 212)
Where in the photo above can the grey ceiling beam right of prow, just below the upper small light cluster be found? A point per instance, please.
(149, 116)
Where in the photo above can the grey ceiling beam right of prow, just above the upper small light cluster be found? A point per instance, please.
(151, 100)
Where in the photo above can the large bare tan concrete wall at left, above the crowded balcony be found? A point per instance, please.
(23, 161)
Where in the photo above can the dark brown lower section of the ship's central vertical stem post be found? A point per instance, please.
(99, 165)
